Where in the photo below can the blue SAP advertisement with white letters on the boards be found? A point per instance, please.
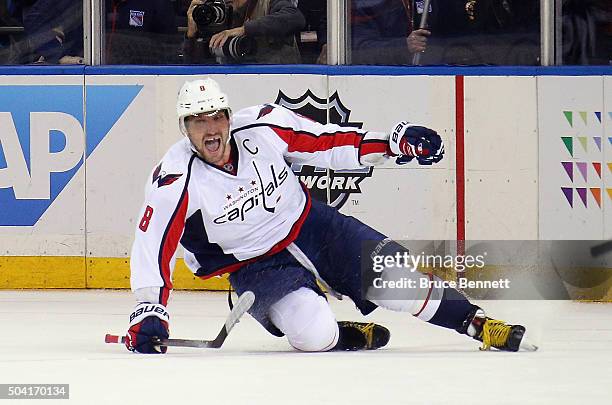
(43, 141)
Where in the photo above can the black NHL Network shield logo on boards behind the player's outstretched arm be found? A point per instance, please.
(341, 183)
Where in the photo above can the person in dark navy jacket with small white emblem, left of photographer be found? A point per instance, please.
(141, 32)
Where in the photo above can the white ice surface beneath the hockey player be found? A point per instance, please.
(58, 337)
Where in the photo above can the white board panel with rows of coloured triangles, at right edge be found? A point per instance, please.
(575, 158)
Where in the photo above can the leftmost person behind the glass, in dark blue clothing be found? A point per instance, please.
(54, 30)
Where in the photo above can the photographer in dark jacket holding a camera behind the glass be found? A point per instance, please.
(270, 24)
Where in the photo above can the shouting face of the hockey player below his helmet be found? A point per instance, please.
(209, 135)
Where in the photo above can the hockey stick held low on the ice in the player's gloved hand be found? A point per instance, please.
(244, 303)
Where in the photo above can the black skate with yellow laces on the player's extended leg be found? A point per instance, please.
(493, 333)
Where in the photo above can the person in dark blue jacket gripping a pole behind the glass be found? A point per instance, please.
(382, 34)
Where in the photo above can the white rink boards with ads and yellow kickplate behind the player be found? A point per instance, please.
(511, 156)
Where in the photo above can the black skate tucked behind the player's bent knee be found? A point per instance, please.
(361, 336)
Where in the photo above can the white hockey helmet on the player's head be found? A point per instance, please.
(202, 96)
